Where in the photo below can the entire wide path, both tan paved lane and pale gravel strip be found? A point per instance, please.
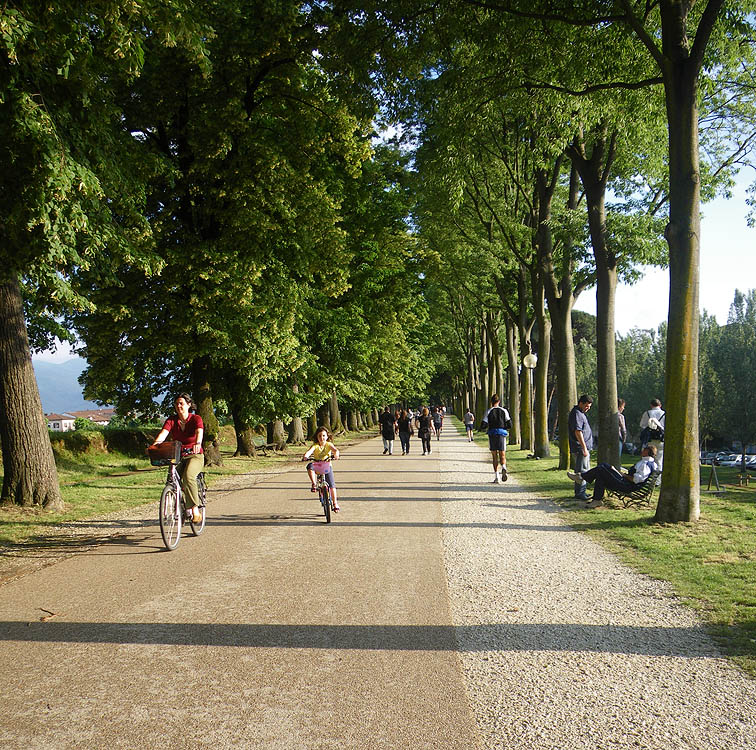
(436, 611)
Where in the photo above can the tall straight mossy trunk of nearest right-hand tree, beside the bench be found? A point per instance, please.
(679, 498)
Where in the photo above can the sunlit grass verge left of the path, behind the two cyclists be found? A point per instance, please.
(94, 485)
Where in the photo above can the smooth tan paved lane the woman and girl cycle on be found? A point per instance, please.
(271, 630)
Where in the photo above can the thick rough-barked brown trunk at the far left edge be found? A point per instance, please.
(30, 476)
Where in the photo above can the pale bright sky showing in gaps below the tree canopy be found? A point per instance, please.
(728, 262)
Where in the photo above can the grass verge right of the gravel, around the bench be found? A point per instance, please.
(710, 564)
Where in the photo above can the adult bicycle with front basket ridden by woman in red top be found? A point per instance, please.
(172, 506)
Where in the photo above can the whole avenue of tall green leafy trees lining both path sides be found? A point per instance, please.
(195, 195)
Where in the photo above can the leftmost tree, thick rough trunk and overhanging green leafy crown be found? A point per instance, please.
(69, 186)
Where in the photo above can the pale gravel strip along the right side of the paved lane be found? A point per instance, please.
(564, 647)
